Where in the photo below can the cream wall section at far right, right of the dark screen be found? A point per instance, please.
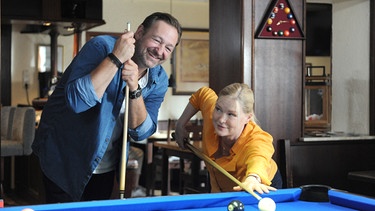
(350, 66)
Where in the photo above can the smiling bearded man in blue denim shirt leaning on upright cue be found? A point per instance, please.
(78, 141)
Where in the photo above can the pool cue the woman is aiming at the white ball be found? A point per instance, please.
(204, 157)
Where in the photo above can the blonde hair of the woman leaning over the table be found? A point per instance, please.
(243, 94)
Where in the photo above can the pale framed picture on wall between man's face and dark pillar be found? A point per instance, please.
(190, 62)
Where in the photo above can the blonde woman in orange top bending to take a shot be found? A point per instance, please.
(232, 138)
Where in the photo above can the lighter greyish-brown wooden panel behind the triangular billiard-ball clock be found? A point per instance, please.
(278, 79)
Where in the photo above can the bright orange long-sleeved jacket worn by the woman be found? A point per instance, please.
(252, 152)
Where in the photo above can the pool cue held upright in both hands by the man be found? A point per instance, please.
(124, 141)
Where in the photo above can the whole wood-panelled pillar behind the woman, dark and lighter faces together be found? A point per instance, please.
(272, 67)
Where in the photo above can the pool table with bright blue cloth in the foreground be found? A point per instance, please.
(286, 199)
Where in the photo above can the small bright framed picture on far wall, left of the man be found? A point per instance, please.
(44, 58)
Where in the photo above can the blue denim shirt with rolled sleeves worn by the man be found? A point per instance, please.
(76, 126)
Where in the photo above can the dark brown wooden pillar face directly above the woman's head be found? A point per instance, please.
(225, 43)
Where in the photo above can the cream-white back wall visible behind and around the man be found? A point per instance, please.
(116, 13)
